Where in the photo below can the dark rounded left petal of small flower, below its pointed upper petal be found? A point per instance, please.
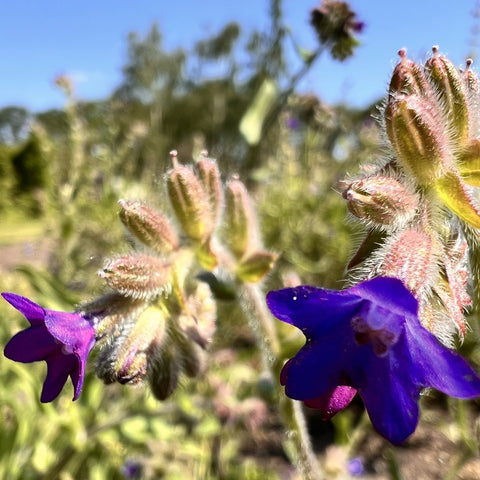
(31, 345)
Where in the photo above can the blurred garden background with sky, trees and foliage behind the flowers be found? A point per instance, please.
(93, 96)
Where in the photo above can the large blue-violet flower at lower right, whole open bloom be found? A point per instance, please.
(368, 338)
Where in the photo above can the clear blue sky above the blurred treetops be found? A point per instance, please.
(40, 39)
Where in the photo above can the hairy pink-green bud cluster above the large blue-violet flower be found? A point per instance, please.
(420, 205)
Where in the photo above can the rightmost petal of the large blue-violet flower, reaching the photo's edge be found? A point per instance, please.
(439, 367)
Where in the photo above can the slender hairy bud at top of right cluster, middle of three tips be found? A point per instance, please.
(448, 83)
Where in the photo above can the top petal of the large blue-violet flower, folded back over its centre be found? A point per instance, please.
(389, 293)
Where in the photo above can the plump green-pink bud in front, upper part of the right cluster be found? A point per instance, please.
(418, 137)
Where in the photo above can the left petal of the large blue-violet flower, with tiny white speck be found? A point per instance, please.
(314, 310)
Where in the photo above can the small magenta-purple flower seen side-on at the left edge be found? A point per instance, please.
(62, 339)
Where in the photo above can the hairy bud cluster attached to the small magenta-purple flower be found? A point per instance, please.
(158, 320)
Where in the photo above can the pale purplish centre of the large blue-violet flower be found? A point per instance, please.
(372, 327)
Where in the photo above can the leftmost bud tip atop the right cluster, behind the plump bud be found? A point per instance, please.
(408, 78)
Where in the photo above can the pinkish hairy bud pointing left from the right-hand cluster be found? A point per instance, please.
(381, 200)
